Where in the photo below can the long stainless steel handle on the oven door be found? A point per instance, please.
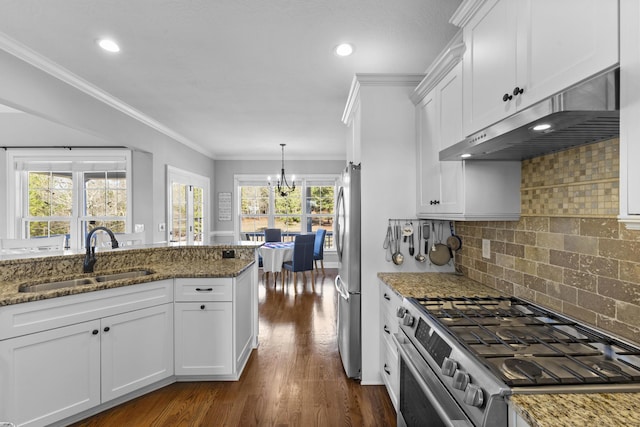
(450, 414)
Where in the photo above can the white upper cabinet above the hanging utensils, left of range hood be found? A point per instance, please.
(456, 190)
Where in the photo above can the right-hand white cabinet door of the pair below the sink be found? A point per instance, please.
(137, 350)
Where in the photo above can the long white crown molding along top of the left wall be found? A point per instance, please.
(44, 64)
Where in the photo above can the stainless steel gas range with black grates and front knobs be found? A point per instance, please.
(461, 357)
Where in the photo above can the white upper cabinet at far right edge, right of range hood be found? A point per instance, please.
(629, 113)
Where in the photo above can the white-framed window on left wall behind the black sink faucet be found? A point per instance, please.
(68, 192)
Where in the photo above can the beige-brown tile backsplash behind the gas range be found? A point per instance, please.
(568, 251)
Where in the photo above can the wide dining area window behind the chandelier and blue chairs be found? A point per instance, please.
(309, 207)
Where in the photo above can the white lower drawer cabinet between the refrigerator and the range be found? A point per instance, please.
(389, 302)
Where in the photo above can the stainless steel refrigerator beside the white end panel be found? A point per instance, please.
(347, 239)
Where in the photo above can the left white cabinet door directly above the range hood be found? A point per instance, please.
(490, 64)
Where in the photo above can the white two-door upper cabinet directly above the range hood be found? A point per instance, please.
(522, 51)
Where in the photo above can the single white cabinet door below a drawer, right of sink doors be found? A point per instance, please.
(204, 338)
